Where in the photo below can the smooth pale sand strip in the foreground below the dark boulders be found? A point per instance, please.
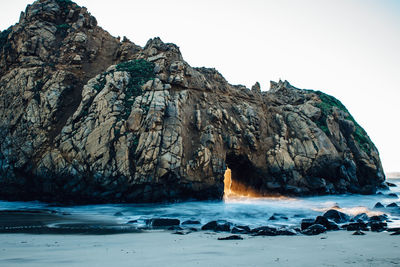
(162, 248)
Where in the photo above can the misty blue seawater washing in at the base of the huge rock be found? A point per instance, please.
(238, 210)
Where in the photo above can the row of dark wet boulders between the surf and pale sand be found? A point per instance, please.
(331, 220)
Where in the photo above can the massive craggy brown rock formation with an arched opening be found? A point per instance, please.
(86, 117)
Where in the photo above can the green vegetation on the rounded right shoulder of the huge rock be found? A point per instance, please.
(326, 105)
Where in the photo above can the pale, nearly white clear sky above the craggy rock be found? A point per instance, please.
(347, 48)
